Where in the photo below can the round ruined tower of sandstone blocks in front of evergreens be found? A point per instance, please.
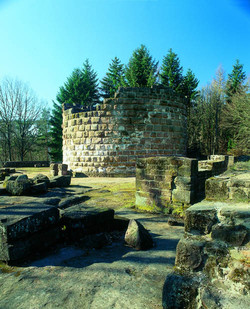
(137, 122)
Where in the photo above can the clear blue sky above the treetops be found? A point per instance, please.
(42, 41)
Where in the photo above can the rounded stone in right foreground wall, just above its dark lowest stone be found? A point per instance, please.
(189, 253)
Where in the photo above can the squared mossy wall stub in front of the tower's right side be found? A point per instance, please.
(162, 183)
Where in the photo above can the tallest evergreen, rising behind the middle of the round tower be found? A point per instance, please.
(141, 69)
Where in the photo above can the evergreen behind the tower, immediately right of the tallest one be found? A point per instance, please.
(171, 72)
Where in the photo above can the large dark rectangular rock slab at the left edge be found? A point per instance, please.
(22, 227)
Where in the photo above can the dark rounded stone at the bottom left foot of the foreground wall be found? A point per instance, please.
(179, 292)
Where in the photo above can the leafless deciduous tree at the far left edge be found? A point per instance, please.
(19, 112)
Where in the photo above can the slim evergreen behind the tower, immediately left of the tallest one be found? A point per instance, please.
(113, 79)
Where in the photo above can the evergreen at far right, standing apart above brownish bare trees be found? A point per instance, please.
(235, 82)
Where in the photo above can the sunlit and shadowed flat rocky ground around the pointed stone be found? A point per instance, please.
(114, 276)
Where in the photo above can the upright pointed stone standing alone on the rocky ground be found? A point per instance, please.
(137, 236)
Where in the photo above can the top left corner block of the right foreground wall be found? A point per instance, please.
(200, 218)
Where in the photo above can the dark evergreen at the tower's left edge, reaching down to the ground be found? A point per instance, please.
(80, 88)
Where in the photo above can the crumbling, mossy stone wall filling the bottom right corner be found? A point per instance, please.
(212, 261)
